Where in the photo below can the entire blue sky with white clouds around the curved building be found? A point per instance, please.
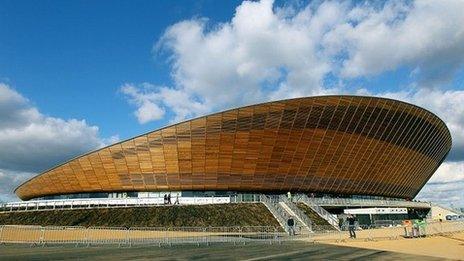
(75, 76)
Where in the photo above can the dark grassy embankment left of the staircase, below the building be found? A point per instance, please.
(162, 216)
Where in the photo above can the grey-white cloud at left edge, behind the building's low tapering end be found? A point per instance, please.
(31, 142)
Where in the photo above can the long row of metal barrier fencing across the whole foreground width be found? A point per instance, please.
(37, 235)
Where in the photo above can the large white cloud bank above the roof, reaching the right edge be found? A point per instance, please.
(265, 53)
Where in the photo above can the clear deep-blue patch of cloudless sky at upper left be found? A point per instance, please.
(69, 58)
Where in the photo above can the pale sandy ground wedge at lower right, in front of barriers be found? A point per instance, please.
(446, 246)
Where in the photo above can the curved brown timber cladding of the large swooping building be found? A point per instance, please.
(334, 144)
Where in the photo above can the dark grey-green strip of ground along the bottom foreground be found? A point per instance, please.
(286, 251)
